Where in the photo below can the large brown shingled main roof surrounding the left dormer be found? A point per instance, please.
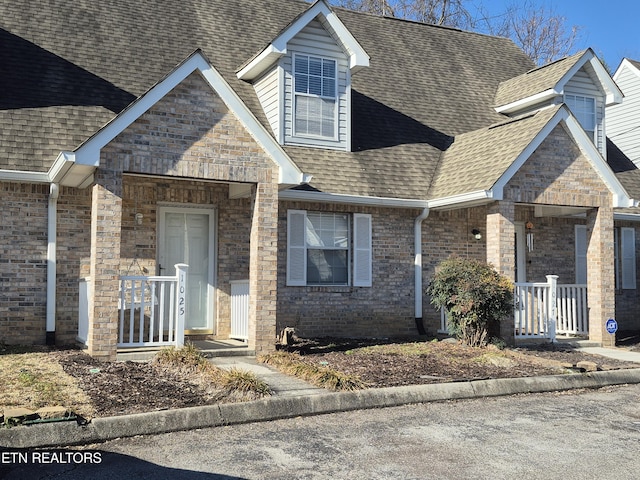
(73, 65)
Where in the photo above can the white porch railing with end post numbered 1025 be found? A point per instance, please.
(152, 310)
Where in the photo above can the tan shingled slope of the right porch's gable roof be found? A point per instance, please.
(476, 160)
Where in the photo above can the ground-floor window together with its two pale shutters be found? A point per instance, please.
(321, 249)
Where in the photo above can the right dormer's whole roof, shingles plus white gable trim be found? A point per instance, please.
(544, 83)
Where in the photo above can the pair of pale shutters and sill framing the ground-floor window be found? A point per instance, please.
(359, 252)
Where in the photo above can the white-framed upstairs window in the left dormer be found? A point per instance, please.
(315, 85)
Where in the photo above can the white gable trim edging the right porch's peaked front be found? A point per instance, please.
(620, 197)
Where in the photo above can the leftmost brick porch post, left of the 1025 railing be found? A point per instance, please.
(106, 221)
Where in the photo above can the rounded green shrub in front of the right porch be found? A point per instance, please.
(474, 295)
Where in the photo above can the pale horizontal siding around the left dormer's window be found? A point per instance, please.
(316, 41)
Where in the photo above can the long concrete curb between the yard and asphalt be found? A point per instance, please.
(103, 429)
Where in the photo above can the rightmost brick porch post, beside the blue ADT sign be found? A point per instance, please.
(600, 273)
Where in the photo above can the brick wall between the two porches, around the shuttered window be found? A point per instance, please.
(386, 308)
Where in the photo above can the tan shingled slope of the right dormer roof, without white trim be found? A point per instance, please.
(534, 81)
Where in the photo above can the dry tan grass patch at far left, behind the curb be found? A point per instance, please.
(36, 379)
